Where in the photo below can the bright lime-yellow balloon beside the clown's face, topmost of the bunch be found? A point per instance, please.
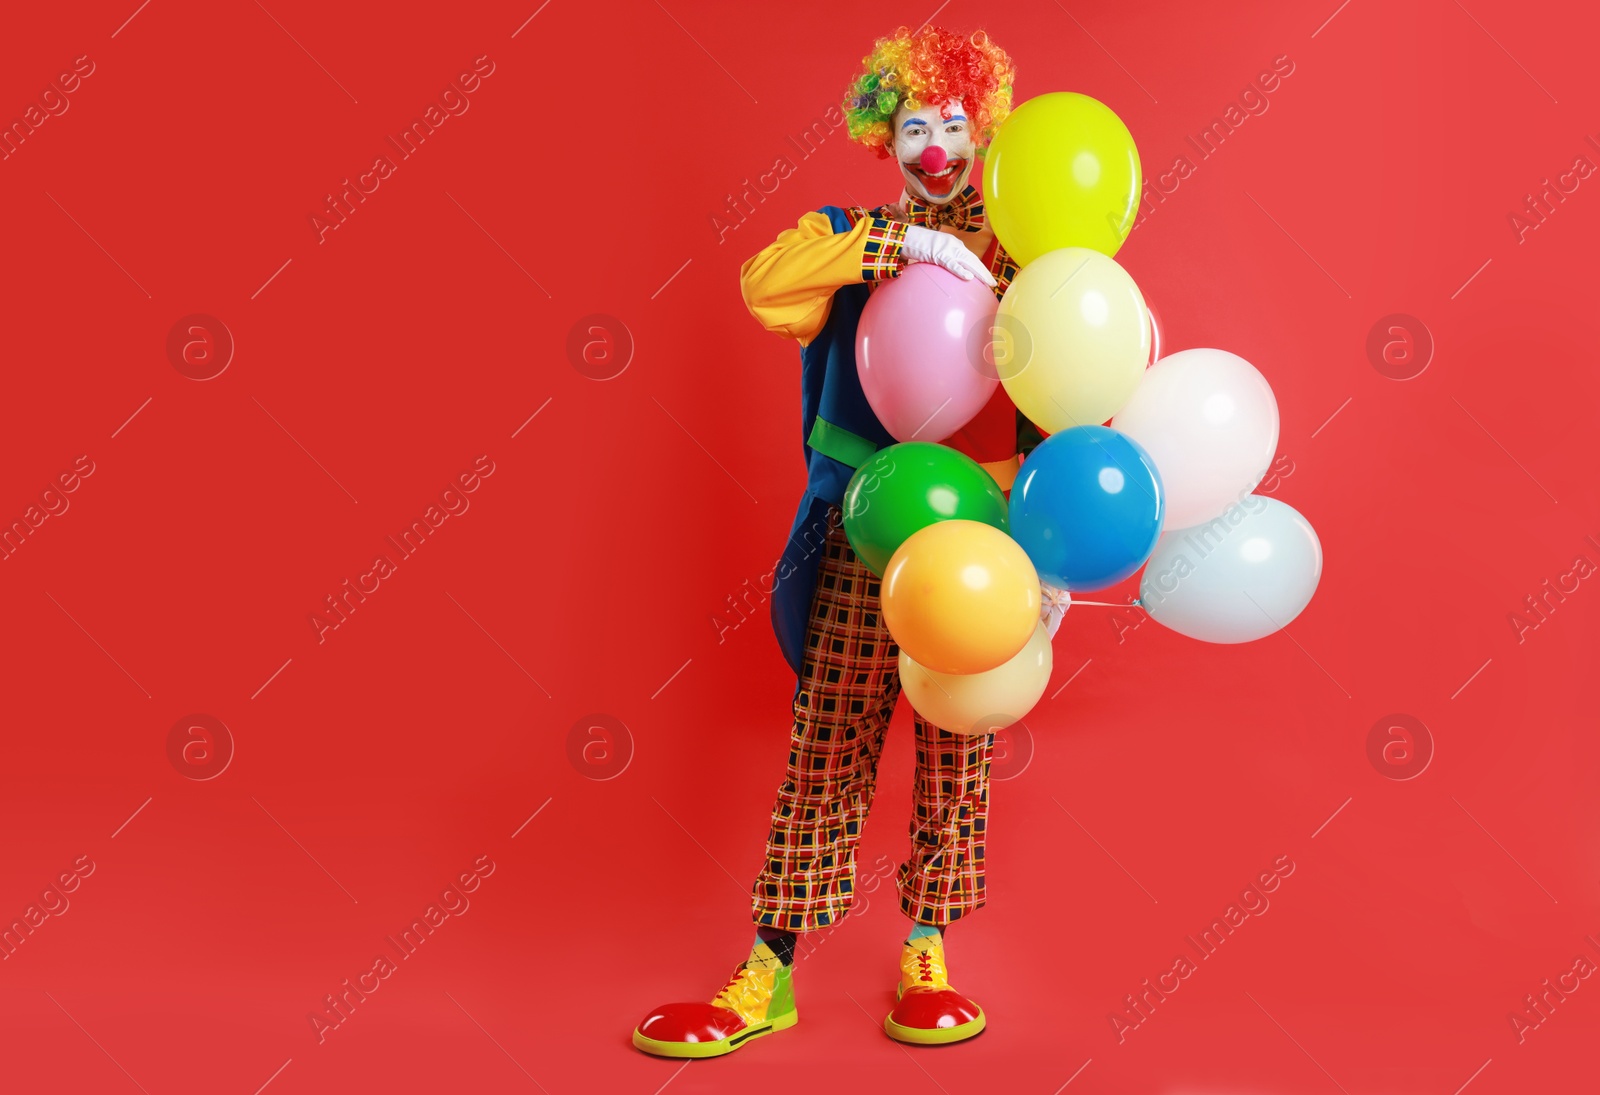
(1062, 172)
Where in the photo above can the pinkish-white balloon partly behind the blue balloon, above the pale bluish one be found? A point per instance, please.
(1210, 423)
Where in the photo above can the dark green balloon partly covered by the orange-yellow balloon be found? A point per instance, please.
(911, 486)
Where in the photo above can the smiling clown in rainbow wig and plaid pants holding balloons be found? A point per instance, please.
(930, 102)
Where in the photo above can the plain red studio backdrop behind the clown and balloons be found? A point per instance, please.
(426, 731)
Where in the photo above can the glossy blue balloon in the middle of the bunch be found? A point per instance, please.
(1087, 508)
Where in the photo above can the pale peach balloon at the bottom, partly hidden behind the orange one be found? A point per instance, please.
(980, 702)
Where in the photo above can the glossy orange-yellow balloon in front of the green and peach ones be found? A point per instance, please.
(961, 596)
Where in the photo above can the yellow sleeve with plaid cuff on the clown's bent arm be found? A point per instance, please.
(790, 286)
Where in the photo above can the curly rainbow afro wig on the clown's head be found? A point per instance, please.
(930, 66)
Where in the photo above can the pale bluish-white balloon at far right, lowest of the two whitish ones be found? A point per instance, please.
(1236, 579)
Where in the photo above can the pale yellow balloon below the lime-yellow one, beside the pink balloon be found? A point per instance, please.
(1071, 340)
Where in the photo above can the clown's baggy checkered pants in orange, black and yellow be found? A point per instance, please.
(842, 710)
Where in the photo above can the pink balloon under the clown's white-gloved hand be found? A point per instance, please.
(921, 353)
